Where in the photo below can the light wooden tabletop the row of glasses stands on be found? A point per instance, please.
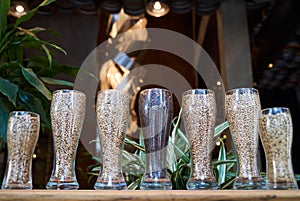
(175, 195)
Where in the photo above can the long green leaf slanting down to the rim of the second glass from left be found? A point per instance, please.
(32, 78)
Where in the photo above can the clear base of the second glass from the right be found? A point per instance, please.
(256, 183)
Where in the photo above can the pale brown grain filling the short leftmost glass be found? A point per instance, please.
(22, 136)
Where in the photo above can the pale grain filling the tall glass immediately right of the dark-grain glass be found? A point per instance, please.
(199, 115)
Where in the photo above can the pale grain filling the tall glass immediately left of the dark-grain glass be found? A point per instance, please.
(112, 117)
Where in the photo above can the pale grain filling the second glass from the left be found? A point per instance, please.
(67, 117)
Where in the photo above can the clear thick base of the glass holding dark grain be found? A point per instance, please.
(156, 184)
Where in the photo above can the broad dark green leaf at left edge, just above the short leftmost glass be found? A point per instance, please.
(9, 89)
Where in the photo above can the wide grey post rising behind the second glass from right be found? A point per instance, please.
(234, 44)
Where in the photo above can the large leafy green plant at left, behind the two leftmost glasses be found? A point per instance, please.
(25, 80)
